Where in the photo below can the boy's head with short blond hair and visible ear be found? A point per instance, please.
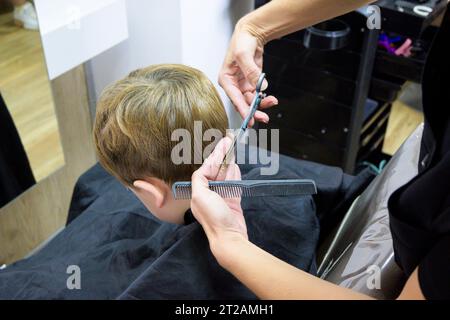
(135, 119)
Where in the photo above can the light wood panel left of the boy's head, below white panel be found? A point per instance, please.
(39, 212)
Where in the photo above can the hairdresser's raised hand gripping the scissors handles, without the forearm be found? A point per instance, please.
(241, 70)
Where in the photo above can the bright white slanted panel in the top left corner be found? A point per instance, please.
(74, 31)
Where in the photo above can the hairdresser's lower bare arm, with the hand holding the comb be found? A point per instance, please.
(265, 275)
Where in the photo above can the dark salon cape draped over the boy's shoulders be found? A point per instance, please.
(124, 252)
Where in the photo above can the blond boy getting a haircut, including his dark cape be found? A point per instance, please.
(121, 250)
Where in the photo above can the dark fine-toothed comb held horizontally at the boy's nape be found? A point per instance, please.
(250, 188)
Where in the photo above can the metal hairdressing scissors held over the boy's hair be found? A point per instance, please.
(259, 96)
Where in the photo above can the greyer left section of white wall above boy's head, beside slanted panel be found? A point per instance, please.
(153, 37)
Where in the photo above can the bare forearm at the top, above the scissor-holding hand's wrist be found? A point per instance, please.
(281, 17)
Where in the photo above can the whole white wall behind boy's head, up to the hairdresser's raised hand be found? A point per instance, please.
(192, 32)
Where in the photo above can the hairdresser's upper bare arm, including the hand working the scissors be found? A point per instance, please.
(243, 61)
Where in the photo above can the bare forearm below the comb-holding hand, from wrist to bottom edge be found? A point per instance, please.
(271, 278)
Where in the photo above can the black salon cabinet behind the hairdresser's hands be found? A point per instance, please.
(334, 105)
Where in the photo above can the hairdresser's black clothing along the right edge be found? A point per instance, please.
(420, 210)
